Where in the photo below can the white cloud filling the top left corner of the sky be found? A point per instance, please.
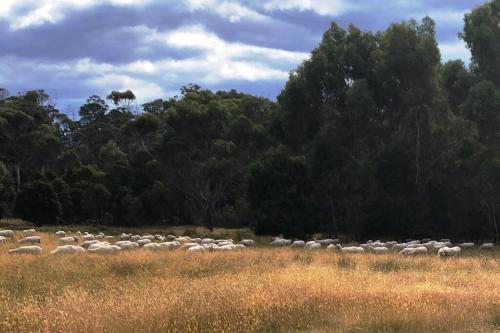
(21, 14)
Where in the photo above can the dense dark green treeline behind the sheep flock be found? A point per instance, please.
(372, 136)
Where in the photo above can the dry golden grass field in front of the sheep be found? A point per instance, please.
(257, 290)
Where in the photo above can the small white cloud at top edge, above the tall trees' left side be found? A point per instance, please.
(322, 7)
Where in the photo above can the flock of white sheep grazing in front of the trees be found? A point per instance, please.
(78, 242)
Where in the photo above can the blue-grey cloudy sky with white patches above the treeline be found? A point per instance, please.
(76, 48)
